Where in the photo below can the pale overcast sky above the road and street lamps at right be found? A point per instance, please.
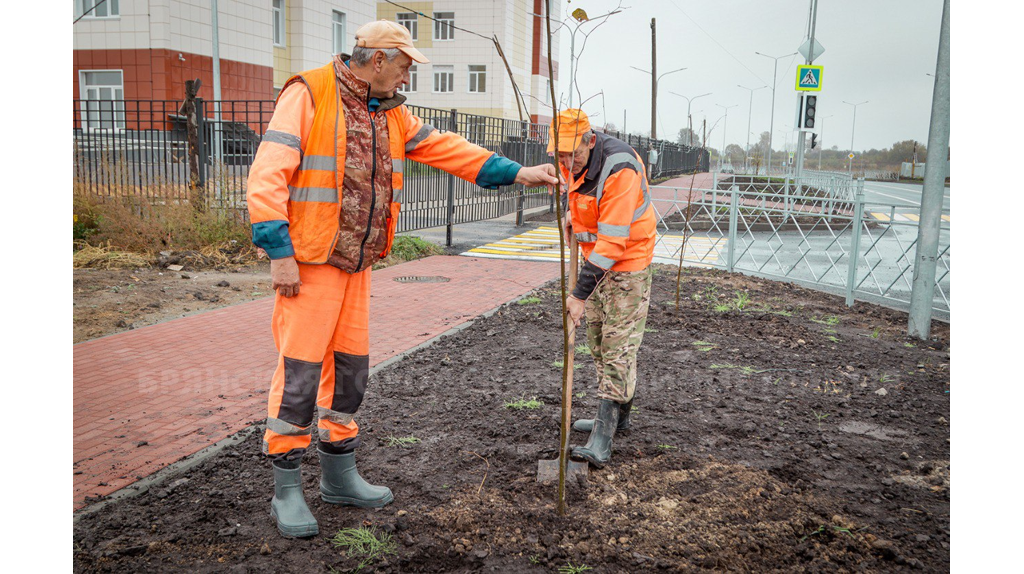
(875, 51)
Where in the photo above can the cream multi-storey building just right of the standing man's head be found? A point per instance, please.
(465, 71)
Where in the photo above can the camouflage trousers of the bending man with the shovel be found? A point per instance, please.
(617, 316)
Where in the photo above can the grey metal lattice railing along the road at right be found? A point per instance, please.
(866, 253)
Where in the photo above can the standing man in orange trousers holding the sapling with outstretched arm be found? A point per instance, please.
(324, 194)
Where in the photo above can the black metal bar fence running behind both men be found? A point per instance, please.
(141, 149)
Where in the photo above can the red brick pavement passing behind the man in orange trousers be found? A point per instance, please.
(146, 399)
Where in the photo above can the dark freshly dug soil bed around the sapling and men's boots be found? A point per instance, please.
(787, 433)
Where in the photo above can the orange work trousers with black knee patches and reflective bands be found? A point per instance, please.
(323, 339)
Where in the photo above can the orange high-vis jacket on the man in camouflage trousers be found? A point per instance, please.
(613, 217)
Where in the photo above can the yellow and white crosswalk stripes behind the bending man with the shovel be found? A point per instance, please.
(542, 245)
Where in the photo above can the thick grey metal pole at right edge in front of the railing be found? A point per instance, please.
(931, 202)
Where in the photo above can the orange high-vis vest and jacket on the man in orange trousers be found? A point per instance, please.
(319, 217)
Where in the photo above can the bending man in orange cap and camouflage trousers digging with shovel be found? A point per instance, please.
(611, 214)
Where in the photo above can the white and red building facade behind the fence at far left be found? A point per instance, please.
(147, 50)
